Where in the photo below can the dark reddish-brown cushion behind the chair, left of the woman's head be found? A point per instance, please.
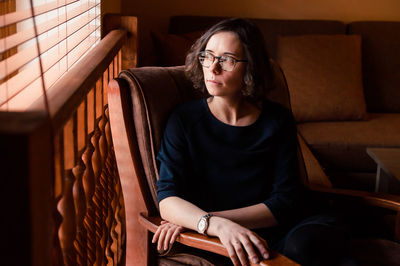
(171, 49)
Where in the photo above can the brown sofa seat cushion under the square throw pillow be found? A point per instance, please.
(341, 146)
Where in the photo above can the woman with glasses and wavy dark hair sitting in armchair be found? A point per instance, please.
(227, 163)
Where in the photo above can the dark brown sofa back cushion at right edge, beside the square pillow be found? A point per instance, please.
(381, 64)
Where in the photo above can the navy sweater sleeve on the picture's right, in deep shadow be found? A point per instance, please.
(285, 194)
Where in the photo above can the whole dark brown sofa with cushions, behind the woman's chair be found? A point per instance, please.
(343, 80)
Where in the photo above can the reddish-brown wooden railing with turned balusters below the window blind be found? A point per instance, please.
(62, 193)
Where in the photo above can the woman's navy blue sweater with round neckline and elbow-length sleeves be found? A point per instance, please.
(217, 166)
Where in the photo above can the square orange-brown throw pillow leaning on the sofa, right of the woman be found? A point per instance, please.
(324, 76)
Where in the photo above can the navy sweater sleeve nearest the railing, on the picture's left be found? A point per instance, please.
(171, 159)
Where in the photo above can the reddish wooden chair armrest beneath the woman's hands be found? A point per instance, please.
(211, 244)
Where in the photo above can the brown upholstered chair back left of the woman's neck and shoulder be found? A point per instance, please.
(152, 102)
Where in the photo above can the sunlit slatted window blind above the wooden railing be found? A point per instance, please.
(40, 41)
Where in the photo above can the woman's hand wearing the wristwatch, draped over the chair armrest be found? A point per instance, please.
(241, 243)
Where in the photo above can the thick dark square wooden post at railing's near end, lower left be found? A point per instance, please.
(26, 189)
